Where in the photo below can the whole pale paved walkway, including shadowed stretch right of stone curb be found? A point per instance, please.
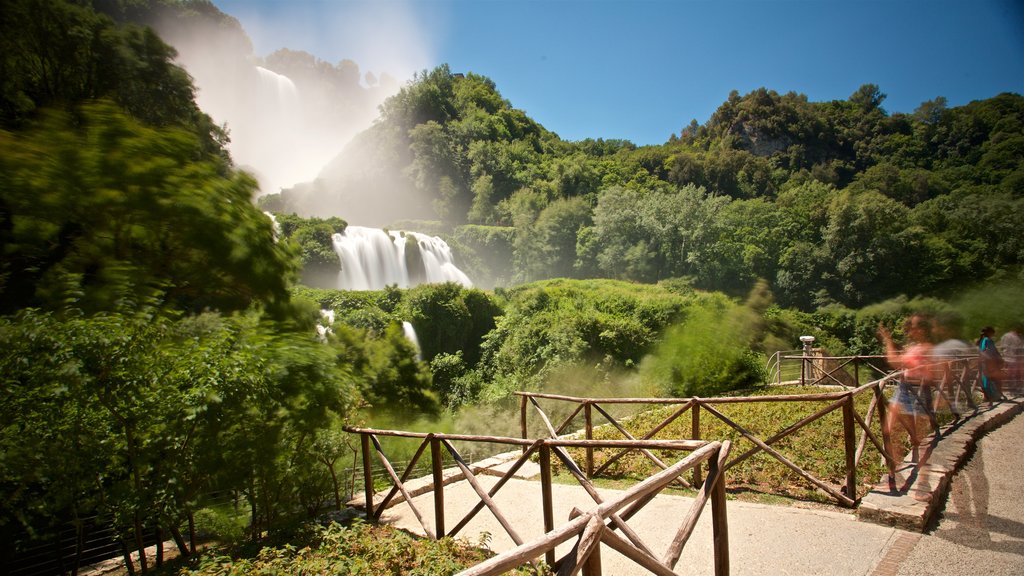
(980, 530)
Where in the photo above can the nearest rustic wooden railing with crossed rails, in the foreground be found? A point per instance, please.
(591, 528)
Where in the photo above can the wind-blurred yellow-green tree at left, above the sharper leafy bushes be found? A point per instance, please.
(97, 209)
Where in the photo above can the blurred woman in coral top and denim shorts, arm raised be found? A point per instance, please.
(909, 406)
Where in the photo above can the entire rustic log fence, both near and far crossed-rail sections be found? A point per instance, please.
(955, 381)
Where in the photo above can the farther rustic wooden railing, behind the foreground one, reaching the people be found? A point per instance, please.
(957, 381)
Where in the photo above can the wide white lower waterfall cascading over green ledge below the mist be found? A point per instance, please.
(372, 260)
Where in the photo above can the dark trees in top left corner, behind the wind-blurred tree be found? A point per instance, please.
(64, 54)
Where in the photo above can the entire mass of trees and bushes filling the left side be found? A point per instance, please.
(151, 352)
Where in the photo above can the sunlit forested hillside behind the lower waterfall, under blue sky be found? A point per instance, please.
(823, 200)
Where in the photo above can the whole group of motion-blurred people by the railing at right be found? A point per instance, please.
(926, 360)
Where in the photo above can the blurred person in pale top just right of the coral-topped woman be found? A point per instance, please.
(953, 369)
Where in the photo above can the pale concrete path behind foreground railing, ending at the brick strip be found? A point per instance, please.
(763, 540)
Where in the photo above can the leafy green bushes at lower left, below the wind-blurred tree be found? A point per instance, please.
(135, 417)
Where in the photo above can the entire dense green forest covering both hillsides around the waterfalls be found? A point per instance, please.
(157, 348)
